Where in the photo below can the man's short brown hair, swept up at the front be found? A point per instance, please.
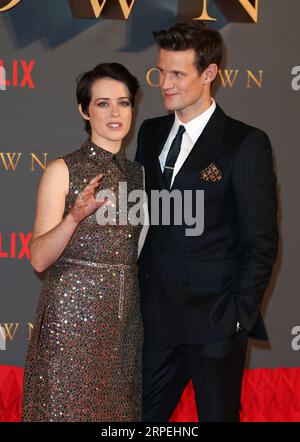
(207, 43)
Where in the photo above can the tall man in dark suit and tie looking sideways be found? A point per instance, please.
(201, 295)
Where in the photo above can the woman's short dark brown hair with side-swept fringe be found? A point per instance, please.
(116, 71)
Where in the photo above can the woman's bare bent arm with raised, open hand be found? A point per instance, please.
(52, 232)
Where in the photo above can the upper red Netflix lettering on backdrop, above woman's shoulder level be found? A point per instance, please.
(17, 73)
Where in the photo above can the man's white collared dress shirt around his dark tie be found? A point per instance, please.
(193, 130)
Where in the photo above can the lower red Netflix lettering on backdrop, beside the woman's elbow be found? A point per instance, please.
(15, 245)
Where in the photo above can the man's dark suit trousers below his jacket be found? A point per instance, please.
(216, 370)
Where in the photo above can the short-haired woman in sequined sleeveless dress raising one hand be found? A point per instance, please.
(84, 357)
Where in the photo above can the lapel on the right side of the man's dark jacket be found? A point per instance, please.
(206, 149)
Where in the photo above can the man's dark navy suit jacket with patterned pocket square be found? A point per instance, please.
(194, 289)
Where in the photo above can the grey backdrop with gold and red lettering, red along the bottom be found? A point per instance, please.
(44, 46)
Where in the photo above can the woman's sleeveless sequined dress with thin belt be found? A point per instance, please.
(84, 357)
